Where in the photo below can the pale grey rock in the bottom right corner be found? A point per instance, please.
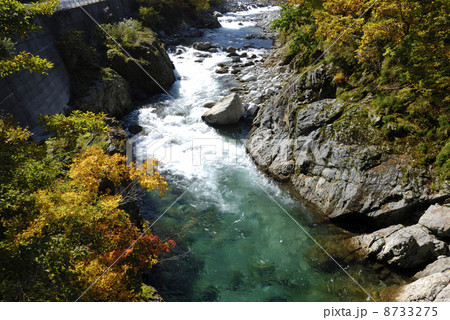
(432, 288)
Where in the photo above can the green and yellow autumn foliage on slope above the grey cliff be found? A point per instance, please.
(394, 51)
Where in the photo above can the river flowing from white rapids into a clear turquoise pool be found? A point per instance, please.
(235, 240)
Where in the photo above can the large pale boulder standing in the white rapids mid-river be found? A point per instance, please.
(227, 111)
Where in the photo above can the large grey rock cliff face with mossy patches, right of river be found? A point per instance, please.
(330, 151)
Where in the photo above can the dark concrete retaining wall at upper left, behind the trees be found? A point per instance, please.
(26, 95)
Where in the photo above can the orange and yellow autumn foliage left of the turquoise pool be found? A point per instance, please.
(62, 225)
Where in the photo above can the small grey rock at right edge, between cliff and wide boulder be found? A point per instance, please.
(437, 220)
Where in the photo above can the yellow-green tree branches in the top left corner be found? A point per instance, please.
(16, 20)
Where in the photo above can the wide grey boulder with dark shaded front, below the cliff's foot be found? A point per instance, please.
(400, 246)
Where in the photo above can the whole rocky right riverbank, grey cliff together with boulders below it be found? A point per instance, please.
(327, 148)
